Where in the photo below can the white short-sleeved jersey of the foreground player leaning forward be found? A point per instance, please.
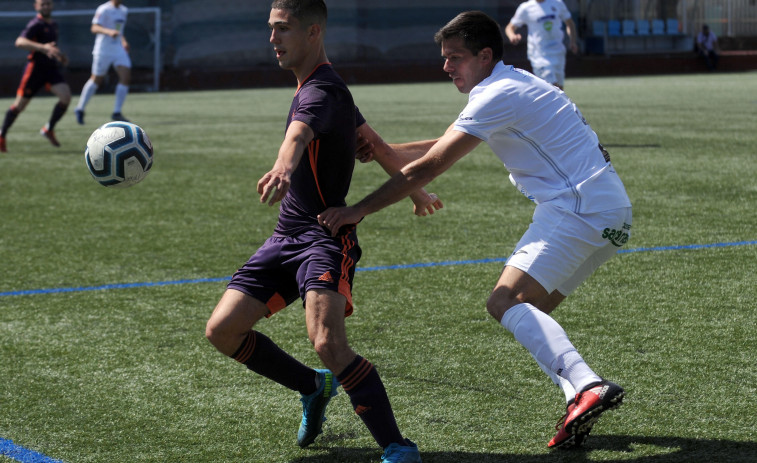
(543, 140)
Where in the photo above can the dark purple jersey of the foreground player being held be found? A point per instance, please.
(322, 178)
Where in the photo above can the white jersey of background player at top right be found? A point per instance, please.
(545, 36)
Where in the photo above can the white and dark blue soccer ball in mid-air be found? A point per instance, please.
(119, 154)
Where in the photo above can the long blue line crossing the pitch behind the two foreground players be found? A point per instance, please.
(448, 263)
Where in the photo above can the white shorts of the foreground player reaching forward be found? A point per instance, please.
(561, 249)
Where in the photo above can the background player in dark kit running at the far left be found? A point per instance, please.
(42, 70)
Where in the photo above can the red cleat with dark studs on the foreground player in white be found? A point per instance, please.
(584, 411)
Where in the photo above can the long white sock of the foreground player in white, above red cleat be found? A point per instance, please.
(548, 344)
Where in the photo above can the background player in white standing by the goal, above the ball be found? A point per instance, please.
(111, 49)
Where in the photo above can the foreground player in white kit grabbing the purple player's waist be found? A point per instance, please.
(582, 215)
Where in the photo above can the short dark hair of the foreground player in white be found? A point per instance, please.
(478, 31)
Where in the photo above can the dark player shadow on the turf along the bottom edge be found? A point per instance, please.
(626, 449)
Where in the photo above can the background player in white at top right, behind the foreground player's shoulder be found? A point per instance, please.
(545, 47)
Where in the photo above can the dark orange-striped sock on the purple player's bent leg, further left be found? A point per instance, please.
(264, 357)
